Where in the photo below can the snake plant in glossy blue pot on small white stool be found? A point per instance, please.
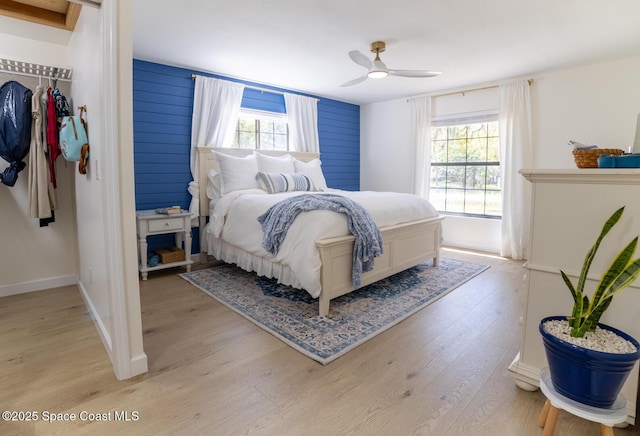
(579, 370)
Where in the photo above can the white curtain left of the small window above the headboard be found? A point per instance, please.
(216, 106)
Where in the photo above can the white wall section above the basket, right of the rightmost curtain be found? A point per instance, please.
(595, 104)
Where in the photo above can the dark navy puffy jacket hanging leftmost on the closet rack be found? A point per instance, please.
(15, 129)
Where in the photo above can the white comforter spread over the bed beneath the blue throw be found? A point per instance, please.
(233, 218)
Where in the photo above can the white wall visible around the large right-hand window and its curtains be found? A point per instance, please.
(597, 104)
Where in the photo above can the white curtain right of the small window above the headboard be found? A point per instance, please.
(302, 118)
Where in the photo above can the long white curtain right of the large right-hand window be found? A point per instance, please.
(515, 154)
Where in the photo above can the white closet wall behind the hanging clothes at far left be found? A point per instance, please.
(36, 257)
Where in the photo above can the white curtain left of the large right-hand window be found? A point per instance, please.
(421, 108)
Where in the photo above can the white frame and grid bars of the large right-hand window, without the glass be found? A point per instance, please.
(466, 119)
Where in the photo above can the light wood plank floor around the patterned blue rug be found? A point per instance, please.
(442, 372)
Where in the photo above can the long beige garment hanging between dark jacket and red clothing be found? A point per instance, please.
(42, 196)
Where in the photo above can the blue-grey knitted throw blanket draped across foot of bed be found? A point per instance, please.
(368, 239)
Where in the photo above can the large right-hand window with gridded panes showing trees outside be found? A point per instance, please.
(465, 166)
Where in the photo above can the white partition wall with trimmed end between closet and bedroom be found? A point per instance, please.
(108, 276)
